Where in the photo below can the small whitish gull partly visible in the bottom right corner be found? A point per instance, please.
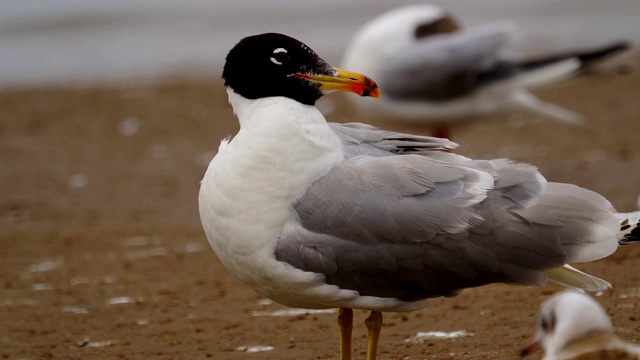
(574, 326)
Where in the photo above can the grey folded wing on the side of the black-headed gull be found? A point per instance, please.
(411, 227)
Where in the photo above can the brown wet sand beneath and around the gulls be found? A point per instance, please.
(103, 255)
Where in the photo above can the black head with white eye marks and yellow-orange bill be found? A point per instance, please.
(277, 65)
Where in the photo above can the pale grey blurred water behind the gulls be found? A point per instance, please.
(83, 41)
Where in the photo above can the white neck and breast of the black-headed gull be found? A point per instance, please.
(248, 191)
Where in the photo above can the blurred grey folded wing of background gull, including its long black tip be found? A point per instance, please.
(455, 64)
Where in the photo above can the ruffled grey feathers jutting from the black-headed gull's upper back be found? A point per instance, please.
(363, 139)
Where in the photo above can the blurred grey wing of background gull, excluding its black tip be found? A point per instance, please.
(443, 67)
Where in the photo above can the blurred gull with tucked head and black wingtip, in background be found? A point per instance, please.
(433, 71)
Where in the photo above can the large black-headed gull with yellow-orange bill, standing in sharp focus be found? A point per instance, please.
(321, 215)
